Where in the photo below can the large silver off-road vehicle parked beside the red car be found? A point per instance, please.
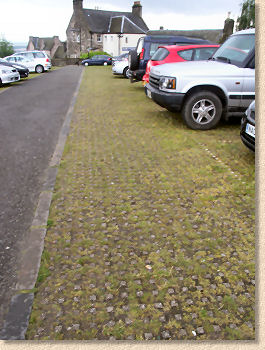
(204, 91)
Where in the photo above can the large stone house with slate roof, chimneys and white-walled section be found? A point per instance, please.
(111, 31)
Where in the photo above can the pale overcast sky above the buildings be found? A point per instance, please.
(43, 18)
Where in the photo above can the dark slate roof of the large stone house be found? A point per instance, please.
(100, 21)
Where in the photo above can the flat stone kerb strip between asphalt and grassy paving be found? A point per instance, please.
(17, 319)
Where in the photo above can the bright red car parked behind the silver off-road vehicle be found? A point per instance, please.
(177, 53)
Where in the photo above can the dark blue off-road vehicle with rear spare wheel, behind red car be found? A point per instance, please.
(146, 47)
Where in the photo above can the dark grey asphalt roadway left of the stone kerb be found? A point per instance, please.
(31, 116)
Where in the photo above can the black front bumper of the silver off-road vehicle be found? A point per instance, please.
(169, 100)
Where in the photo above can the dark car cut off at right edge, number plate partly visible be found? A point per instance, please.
(247, 132)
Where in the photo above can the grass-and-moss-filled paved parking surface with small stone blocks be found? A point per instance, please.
(152, 233)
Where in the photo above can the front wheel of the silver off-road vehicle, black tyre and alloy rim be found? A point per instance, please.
(202, 110)
